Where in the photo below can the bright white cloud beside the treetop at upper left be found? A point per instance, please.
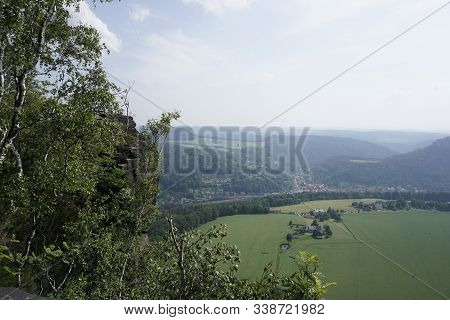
(86, 16)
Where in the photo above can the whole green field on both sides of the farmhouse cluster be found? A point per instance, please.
(383, 255)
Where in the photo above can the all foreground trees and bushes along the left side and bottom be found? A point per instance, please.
(78, 187)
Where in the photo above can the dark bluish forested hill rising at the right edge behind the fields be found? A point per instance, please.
(427, 168)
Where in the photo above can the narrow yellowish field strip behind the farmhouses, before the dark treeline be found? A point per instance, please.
(345, 204)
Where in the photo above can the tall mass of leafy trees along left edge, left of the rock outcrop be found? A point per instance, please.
(58, 135)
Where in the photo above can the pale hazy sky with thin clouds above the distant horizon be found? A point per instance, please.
(243, 62)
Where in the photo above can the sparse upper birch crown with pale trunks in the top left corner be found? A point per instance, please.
(40, 48)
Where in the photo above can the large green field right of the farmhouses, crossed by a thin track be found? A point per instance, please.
(409, 248)
